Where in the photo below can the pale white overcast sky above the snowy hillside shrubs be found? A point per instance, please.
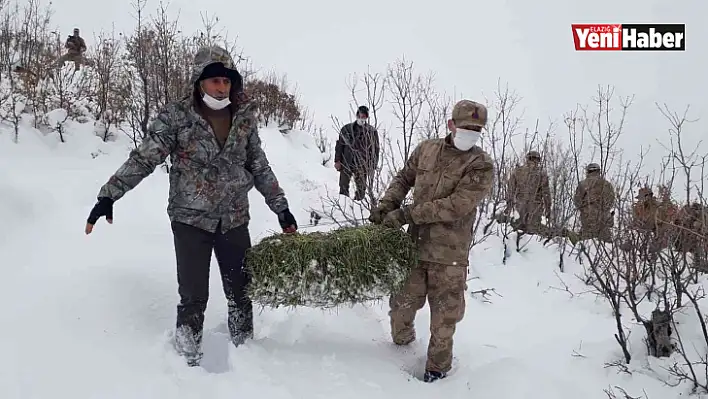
(469, 45)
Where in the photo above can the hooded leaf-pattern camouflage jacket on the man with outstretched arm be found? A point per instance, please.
(208, 184)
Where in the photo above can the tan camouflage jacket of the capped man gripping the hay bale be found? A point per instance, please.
(448, 185)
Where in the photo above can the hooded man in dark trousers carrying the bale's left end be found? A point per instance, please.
(212, 139)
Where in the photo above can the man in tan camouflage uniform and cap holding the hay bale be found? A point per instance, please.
(449, 177)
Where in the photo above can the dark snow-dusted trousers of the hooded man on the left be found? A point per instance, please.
(193, 248)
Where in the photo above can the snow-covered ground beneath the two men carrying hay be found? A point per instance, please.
(89, 316)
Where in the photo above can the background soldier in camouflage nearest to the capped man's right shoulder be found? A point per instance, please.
(530, 193)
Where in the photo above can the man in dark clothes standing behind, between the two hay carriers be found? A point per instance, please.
(357, 153)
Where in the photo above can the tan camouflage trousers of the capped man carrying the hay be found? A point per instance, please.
(444, 287)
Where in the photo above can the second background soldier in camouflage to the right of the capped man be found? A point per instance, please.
(595, 199)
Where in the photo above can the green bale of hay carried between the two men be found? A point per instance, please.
(345, 266)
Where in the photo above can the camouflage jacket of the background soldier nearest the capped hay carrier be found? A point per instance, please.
(528, 184)
